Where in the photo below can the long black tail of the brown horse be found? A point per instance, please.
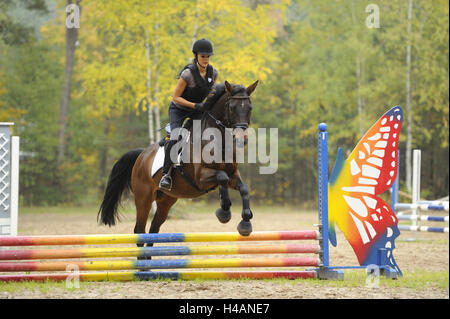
(119, 183)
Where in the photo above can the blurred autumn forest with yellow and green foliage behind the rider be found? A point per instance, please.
(83, 94)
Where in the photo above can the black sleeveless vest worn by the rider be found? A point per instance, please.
(202, 86)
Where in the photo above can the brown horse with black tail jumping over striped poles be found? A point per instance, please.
(132, 172)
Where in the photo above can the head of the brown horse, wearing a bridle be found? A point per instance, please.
(238, 108)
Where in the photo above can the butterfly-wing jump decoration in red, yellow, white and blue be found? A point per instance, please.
(366, 220)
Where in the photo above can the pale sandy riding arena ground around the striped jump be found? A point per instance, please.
(430, 254)
